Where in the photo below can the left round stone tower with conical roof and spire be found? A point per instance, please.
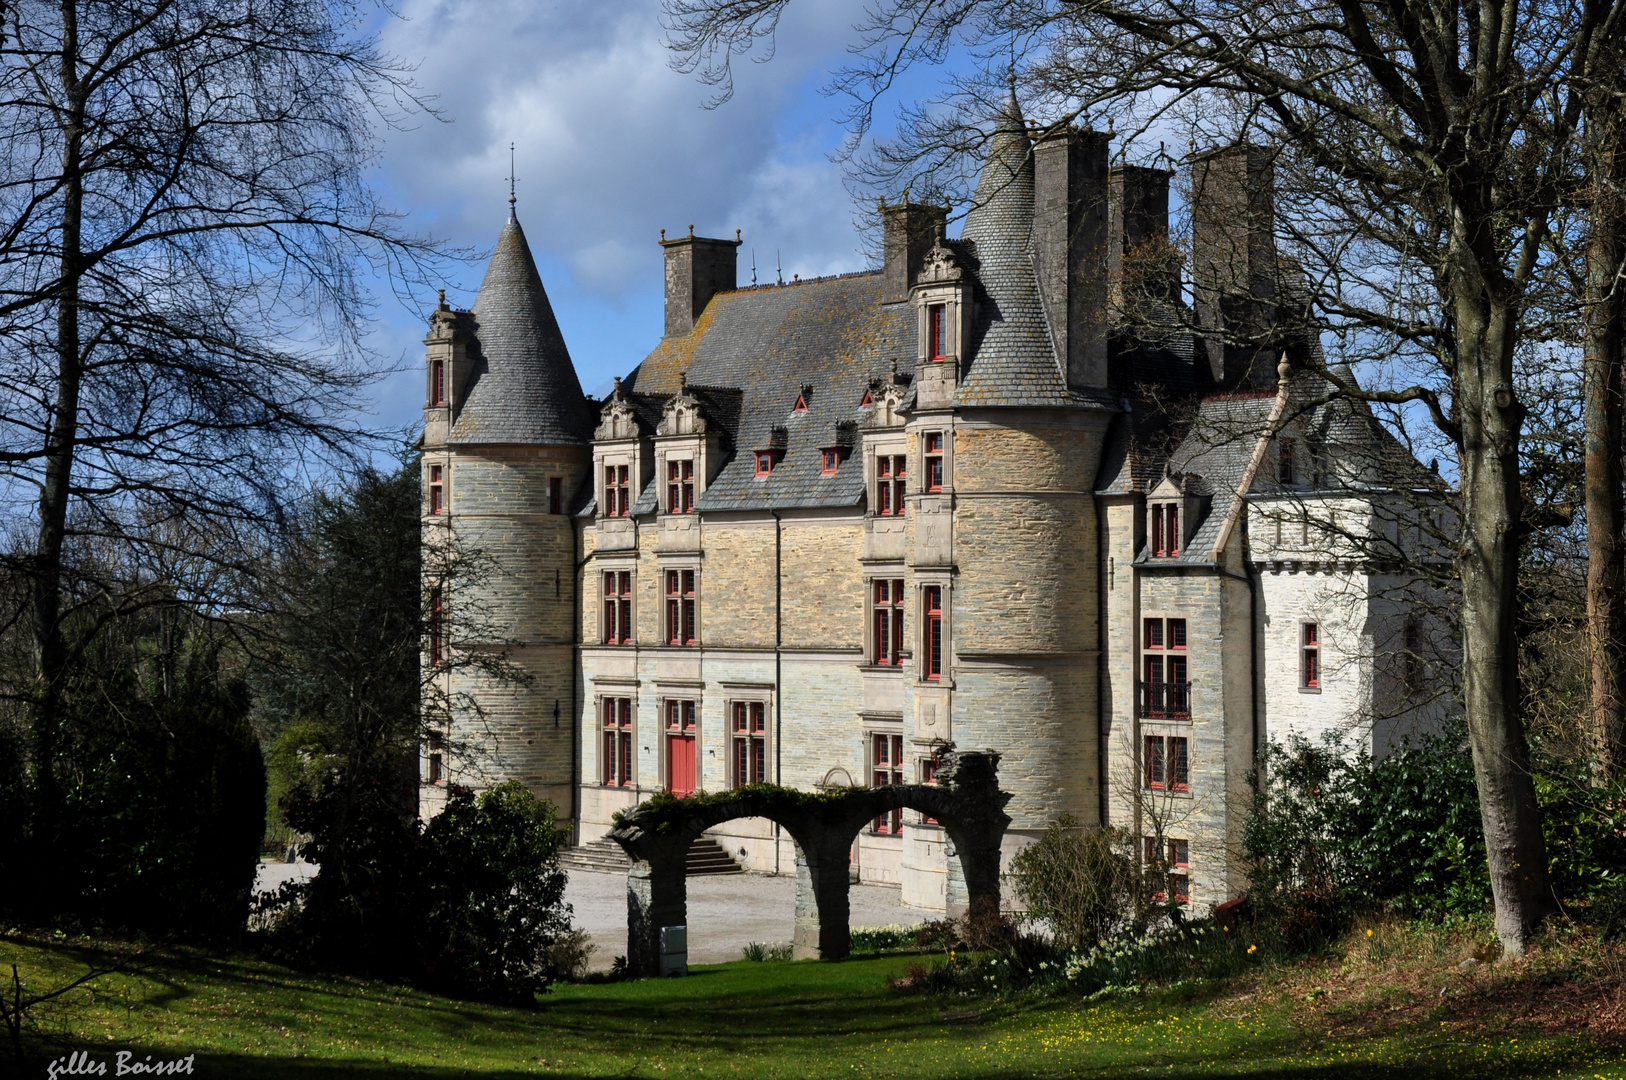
(506, 450)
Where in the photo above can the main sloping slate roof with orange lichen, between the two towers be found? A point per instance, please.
(767, 344)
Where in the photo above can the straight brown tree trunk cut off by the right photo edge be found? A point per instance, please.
(1602, 378)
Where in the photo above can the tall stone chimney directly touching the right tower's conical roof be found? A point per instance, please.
(1071, 248)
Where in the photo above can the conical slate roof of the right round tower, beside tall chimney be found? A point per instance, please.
(1012, 354)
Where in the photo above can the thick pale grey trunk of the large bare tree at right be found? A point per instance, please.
(1489, 560)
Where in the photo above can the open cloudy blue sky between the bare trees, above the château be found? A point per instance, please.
(612, 147)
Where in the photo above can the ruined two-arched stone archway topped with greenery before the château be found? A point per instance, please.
(656, 835)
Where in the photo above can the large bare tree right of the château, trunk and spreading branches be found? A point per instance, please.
(1424, 150)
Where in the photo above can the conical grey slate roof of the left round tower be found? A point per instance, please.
(526, 390)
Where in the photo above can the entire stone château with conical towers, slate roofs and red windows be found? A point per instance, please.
(827, 531)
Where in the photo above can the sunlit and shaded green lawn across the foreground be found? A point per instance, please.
(251, 1019)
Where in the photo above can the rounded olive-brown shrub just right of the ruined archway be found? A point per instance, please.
(1077, 881)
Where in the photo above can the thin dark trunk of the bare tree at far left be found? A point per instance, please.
(51, 653)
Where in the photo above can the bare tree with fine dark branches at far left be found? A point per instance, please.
(183, 212)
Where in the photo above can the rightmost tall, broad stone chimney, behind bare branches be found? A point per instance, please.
(1235, 263)
